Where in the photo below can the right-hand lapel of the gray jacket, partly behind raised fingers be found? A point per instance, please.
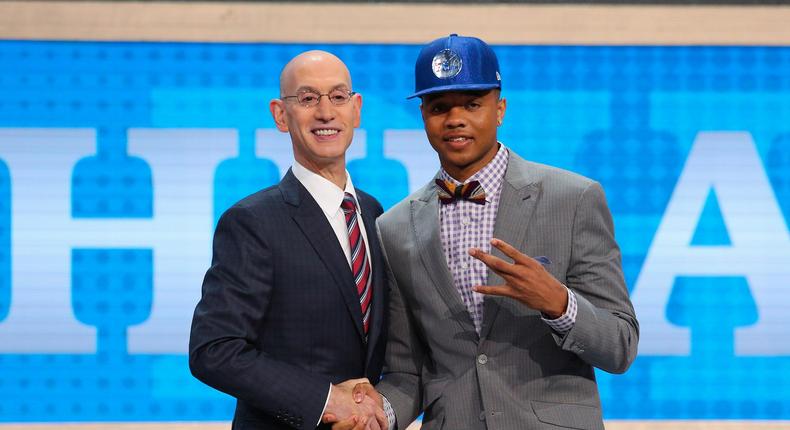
(520, 194)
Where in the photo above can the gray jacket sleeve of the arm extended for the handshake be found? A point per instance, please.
(400, 381)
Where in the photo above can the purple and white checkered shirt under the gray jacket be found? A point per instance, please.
(465, 225)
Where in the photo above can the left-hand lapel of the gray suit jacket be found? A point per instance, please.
(425, 222)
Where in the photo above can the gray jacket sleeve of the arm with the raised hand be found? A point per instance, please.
(606, 331)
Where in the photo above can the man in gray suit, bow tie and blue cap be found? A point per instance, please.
(506, 281)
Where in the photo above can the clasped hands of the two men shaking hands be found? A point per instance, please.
(355, 405)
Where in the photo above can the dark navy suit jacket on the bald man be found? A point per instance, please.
(279, 318)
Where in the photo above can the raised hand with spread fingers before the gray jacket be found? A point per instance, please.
(526, 280)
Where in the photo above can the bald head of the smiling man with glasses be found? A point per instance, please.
(320, 134)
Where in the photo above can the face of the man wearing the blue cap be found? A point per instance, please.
(462, 127)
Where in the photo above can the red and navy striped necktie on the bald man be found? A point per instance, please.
(360, 267)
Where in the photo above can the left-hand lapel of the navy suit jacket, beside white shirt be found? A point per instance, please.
(311, 220)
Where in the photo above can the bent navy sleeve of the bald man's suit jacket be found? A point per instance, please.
(222, 350)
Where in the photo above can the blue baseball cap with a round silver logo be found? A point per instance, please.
(455, 63)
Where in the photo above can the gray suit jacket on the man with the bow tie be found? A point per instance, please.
(518, 373)
